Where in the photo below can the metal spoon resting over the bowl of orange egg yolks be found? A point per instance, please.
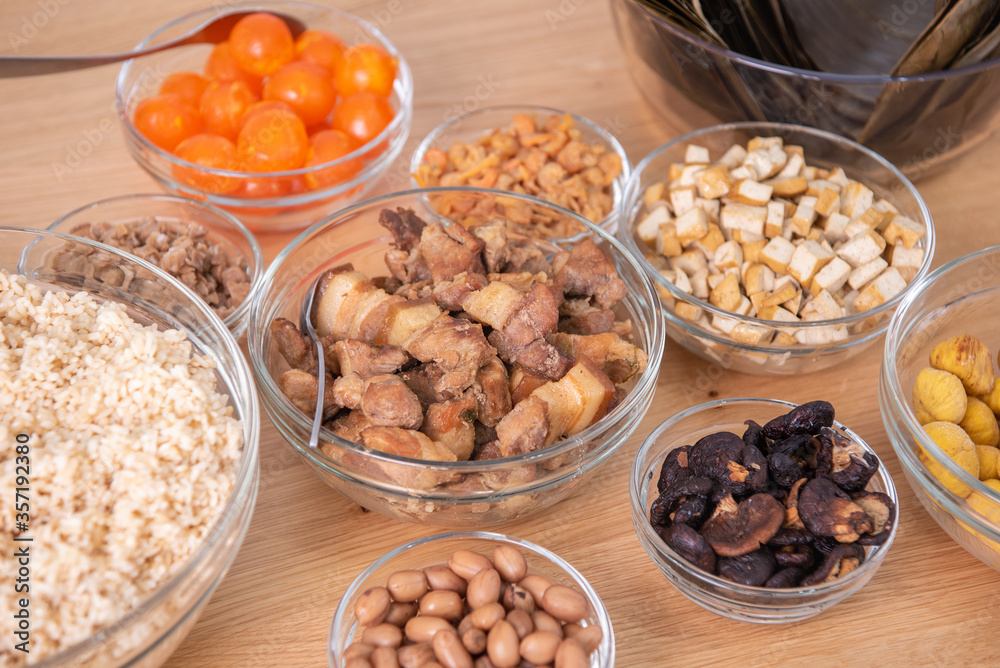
(213, 31)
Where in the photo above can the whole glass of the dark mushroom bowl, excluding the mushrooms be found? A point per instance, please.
(736, 601)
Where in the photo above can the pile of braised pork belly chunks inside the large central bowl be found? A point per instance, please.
(478, 345)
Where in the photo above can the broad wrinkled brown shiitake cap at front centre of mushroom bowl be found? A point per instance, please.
(735, 532)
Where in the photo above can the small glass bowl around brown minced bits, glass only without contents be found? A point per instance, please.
(222, 229)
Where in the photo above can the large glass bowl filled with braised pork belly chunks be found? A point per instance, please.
(472, 373)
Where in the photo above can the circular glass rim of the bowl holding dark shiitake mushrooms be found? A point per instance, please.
(640, 478)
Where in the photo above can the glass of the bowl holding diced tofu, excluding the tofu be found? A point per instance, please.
(822, 149)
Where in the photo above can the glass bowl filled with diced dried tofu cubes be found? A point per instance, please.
(775, 248)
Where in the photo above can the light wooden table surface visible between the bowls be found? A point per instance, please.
(930, 604)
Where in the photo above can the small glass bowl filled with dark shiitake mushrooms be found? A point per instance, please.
(760, 510)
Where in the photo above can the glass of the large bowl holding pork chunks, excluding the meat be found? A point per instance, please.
(480, 493)
